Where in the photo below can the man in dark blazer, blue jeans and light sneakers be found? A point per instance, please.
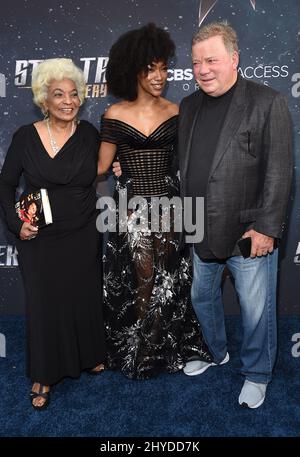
(235, 150)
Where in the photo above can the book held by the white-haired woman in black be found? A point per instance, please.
(35, 208)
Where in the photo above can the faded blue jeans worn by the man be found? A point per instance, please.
(255, 283)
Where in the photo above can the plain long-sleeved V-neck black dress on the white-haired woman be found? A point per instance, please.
(61, 267)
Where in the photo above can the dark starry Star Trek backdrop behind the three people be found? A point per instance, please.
(33, 30)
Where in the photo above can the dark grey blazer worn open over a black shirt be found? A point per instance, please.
(250, 177)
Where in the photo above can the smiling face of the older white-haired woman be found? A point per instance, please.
(62, 100)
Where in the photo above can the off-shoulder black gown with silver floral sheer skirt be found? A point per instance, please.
(150, 324)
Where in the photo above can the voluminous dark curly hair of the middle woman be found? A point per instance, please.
(131, 54)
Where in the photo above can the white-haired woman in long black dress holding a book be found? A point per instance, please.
(60, 263)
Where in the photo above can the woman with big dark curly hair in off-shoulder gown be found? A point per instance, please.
(149, 320)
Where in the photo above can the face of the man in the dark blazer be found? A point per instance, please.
(215, 68)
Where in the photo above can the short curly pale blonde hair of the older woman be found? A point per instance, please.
(55, 69)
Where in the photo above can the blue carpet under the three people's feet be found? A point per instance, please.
(172, 405)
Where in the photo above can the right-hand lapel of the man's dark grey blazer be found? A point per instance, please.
(232, 122)
